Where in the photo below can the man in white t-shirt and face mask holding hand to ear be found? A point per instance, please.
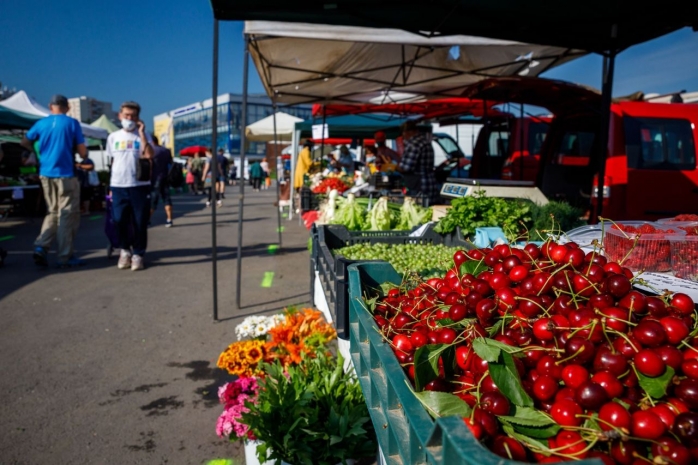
(130, 185)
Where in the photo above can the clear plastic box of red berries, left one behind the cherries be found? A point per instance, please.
(644, 247)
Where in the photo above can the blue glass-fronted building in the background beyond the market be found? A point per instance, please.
(191, 124)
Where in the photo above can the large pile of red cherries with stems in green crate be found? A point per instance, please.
(614, 371)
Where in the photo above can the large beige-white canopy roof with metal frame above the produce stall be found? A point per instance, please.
(303, 63)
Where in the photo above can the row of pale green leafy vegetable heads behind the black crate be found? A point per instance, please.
(353, 213)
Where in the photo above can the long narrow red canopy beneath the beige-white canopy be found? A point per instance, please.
(428, 109)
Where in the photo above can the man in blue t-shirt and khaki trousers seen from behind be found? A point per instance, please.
(59, 137)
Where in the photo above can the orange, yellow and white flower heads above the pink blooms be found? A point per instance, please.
(301, 332)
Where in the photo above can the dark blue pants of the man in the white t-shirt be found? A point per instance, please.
(131, 206)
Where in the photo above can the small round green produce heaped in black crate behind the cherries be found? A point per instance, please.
(424, 259)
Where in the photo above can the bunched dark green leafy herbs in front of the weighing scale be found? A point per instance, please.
(478, 210)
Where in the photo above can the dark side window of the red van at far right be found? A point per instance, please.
(659, 143)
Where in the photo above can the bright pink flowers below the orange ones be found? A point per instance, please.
(233, 396)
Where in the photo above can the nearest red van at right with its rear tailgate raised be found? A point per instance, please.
(651, 158)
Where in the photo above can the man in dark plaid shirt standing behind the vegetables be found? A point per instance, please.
(418, 162)
